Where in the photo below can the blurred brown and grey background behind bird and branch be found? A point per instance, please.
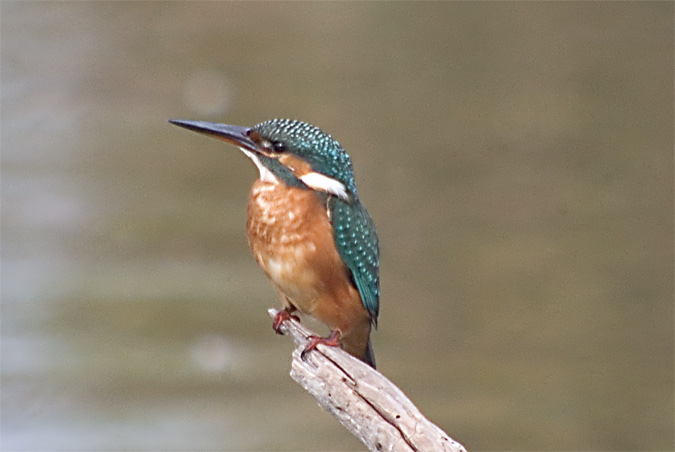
(517, 158)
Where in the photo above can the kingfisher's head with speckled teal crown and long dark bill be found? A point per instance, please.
(289, 151)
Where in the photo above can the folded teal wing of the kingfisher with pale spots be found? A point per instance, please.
(357, 243)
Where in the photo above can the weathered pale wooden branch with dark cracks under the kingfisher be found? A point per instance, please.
(370, 406)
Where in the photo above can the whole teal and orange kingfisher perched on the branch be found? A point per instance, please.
(308, 230)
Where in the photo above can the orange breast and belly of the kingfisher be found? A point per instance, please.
(292, 239)
